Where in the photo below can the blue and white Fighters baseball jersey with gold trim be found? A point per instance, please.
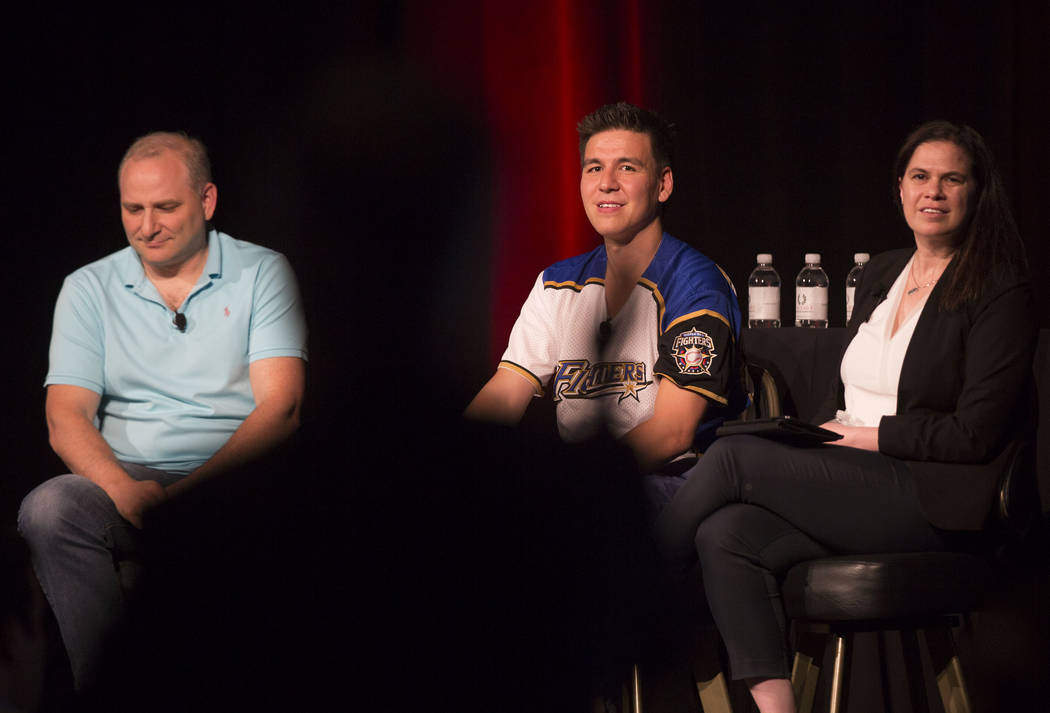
(682, 322)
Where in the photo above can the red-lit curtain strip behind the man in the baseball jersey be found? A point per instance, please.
(534, 71)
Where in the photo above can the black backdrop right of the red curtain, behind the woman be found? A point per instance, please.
(793, 116)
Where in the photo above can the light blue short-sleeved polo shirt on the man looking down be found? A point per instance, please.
(171, 400)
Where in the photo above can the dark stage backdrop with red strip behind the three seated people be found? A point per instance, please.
(417, 162)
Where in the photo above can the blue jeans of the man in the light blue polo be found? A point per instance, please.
(76, 537)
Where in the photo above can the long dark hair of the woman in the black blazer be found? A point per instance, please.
(992, 246)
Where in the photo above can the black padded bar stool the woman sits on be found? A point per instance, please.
(921, 595)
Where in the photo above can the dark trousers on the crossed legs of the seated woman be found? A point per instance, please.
(751, 509)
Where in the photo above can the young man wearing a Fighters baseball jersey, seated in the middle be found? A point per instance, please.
(638, 338)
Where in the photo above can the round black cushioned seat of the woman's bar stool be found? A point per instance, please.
(885, 586)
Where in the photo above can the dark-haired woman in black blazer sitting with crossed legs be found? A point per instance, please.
(935, 383)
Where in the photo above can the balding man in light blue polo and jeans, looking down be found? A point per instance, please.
(177, 359)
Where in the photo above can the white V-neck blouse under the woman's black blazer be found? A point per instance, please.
(871, 368)
